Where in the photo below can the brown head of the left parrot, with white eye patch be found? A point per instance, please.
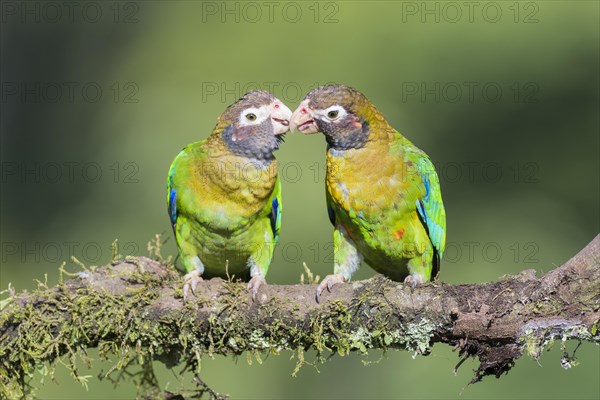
(254, 125)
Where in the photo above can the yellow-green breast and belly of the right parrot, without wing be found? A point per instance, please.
(373, 192)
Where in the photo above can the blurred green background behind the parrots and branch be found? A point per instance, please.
(98, 98)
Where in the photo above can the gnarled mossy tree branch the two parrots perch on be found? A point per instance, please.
(133, 309)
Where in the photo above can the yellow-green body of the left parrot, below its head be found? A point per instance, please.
(224, 205)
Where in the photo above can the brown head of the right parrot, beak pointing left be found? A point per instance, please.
(343, 114)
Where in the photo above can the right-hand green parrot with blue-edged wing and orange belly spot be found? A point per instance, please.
(383, 194)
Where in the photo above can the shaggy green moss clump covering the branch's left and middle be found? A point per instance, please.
(60, 327)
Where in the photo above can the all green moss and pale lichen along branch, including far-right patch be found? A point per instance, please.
(57, 328)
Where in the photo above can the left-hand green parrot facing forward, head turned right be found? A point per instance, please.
(224, 195)
